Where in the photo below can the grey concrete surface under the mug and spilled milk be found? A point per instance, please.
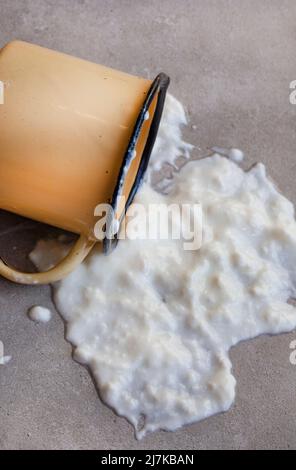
(231, 62)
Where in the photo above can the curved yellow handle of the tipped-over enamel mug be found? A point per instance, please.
(77, 253)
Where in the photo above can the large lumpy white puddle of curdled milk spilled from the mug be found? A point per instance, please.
(154, 322)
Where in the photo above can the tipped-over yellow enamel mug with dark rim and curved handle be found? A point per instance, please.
(73, 135)
